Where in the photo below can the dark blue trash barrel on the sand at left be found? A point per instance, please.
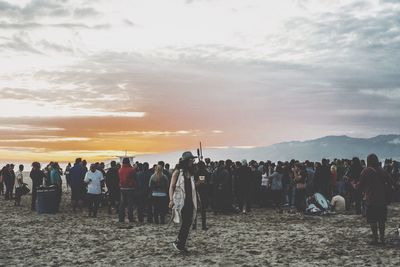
(46, 200)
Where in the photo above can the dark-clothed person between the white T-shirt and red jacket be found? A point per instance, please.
(112, 183)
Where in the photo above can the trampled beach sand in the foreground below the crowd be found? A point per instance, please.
(262, 237)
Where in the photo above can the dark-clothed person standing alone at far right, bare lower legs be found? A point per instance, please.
(374, 182)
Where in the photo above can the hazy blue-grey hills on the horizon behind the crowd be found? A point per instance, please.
(385, 146)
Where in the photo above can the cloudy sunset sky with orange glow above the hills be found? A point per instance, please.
(97, 78)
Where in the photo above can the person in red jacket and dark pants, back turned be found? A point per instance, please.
(127, 183)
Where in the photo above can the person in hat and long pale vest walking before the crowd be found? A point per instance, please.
(182, 195)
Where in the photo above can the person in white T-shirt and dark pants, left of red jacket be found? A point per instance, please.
(93, 178)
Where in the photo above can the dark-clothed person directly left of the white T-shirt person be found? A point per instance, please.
(77, 175)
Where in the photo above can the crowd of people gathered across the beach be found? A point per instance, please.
(224, 186)
